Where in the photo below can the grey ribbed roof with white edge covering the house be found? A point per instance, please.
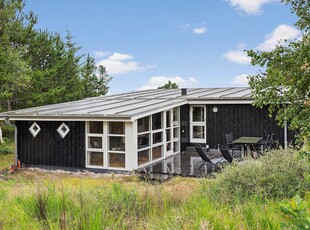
(132, 105)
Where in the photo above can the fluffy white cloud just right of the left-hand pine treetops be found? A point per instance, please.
(119, 63)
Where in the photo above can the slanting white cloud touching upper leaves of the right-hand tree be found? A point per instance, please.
(278, 35)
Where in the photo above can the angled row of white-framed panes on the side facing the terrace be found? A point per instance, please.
(161, 139)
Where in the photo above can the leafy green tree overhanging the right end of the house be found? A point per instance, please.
(284, 84)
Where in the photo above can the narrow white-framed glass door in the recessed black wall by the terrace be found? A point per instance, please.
(198, 124)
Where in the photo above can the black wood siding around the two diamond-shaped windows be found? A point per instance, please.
(48, 147)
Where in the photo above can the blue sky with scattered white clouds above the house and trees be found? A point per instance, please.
(145, 43)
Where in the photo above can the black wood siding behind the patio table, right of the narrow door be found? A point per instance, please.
(241, 120)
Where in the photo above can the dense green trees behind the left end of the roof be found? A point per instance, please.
(38, 67)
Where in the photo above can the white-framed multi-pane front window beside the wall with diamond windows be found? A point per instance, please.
(105, 144)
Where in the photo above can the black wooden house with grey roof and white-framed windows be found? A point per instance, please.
(127, 131)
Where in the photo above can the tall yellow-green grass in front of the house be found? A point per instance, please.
(74, 203)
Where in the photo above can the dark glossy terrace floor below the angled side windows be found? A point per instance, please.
(185, 164)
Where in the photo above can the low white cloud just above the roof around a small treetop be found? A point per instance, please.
(157, 81)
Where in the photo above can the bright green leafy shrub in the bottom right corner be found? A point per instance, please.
(297, 212)
